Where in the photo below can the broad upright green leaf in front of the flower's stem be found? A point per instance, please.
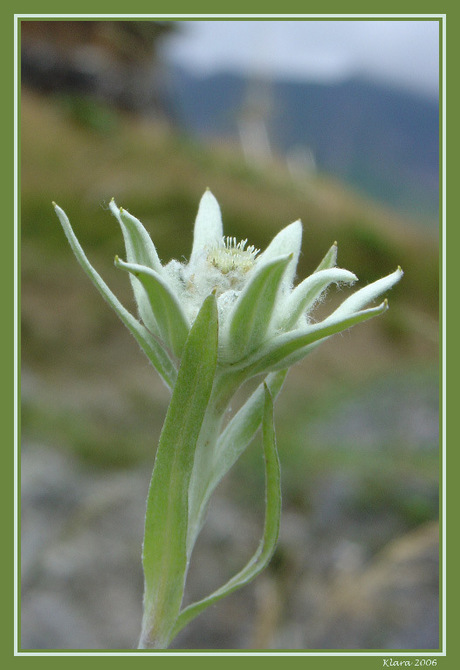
(164, 552)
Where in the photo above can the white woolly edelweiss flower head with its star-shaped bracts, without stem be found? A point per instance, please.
(264, 320)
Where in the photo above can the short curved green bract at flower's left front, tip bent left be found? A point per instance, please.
(165, 308)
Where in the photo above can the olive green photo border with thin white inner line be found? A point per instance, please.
(448, 658)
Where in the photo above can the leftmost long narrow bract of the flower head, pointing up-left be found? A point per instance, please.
(153, 350)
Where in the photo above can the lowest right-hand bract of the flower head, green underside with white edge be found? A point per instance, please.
(285, 350)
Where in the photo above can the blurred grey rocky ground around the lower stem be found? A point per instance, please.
(325, 589)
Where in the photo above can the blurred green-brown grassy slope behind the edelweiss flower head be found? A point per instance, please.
(85, 384)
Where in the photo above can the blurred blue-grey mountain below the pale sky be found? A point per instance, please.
(381, 141)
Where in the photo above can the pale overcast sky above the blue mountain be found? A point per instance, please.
(401, 52)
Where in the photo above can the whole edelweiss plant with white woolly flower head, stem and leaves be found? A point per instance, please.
(228, 314)
